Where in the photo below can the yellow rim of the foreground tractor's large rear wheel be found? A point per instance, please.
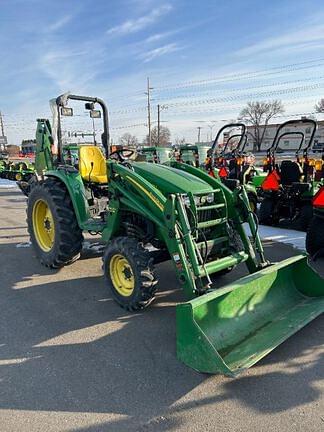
(43, 224)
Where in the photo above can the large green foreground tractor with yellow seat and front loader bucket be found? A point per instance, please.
(190, 218)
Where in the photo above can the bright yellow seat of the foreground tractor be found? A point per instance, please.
(93, 167)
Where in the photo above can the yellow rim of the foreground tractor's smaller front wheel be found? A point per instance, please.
(121, 275)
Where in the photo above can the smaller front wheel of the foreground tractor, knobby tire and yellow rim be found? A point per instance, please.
(129, 273)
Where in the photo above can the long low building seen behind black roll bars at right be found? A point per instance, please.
(288, 142)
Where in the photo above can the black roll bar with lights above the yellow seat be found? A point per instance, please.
(62, 100)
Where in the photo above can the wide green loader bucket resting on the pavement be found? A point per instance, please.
(232, 328)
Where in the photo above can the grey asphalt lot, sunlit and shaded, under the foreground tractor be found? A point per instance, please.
(72, 360)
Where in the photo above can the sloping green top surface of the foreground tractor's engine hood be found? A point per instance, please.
(170, 180)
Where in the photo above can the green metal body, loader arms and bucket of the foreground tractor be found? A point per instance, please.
(194, 217)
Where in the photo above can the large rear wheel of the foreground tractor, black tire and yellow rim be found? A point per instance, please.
(52, 224)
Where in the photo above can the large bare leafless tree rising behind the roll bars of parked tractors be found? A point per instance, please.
(258, 114)
